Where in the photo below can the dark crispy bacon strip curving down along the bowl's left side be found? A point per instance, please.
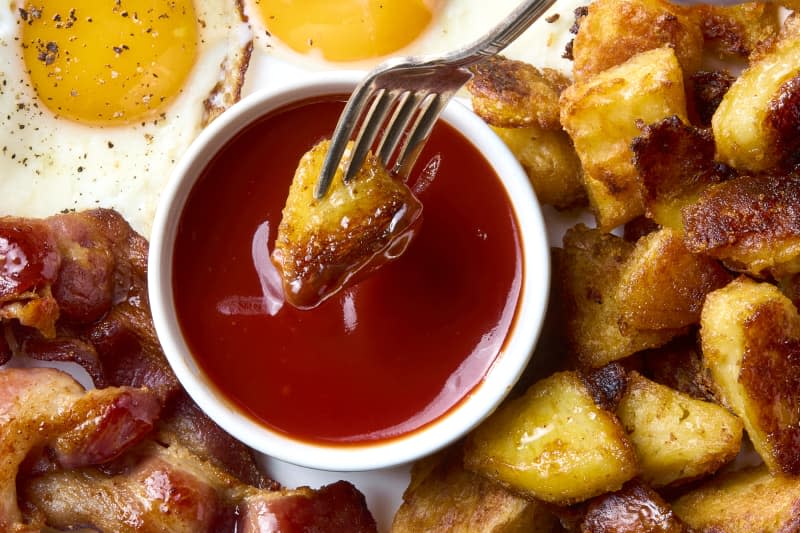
(106, 327)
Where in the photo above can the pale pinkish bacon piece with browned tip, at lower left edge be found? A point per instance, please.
(44, 409)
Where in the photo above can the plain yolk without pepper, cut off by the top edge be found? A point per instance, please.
(345, 30)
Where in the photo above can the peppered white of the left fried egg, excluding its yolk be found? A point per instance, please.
(50, 164)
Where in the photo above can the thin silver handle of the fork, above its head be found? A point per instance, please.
(501, 35)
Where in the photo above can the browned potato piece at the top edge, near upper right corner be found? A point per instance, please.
(738, 30)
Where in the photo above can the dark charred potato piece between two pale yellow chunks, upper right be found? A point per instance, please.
(675, 163)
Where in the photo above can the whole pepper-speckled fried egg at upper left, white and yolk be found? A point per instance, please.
(98, 99)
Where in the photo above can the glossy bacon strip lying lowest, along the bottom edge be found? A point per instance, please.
(171, 489)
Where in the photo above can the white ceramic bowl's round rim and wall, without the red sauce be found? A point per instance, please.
(500, 378)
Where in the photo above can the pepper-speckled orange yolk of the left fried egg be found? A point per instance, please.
(108, 61)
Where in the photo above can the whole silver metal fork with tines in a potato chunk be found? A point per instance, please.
(414, 90)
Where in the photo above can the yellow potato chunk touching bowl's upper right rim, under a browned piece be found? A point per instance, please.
(551, 163)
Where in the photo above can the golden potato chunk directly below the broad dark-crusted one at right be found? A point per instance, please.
(662, 285)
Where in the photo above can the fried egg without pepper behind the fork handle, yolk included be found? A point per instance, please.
(319, 34)
